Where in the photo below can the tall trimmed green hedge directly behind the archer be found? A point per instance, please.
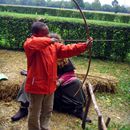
(16, 27)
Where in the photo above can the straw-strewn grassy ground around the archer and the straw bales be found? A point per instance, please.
(116, 106)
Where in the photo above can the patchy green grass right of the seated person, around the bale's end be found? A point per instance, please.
(118, 104)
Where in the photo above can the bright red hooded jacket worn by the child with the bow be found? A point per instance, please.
(42, 62)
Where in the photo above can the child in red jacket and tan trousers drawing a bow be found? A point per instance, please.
(42, 53)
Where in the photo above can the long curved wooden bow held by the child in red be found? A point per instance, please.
(89, 50)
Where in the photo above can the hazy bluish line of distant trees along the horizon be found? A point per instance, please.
(96, 5)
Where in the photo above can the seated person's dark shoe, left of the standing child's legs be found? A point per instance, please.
(23, 112)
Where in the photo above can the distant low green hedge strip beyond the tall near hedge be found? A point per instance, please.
(66, 13)
